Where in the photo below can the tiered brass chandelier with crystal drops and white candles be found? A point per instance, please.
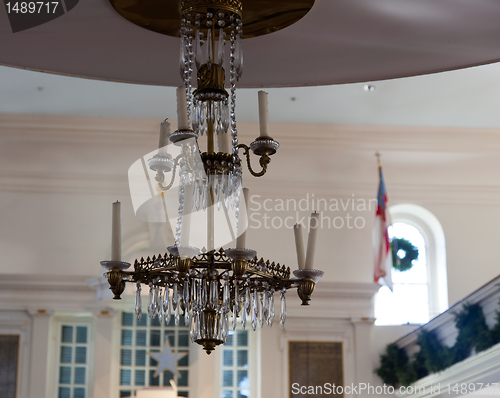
(212, 288)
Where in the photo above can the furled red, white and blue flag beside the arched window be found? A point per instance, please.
(381, 242)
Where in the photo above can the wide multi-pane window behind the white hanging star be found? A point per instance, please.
(140, 337)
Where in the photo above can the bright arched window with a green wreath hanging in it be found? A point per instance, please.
(420, 293)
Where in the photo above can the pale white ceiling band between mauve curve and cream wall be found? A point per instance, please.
(468, 97)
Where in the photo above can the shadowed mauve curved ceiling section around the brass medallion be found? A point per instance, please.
(338, 41)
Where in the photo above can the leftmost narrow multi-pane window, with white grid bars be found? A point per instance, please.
(73, 361)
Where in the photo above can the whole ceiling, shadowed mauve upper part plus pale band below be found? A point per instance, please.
(337, 41)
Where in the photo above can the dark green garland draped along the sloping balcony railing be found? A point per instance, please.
(473, 333)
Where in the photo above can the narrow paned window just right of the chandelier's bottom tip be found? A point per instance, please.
(235, 370)
